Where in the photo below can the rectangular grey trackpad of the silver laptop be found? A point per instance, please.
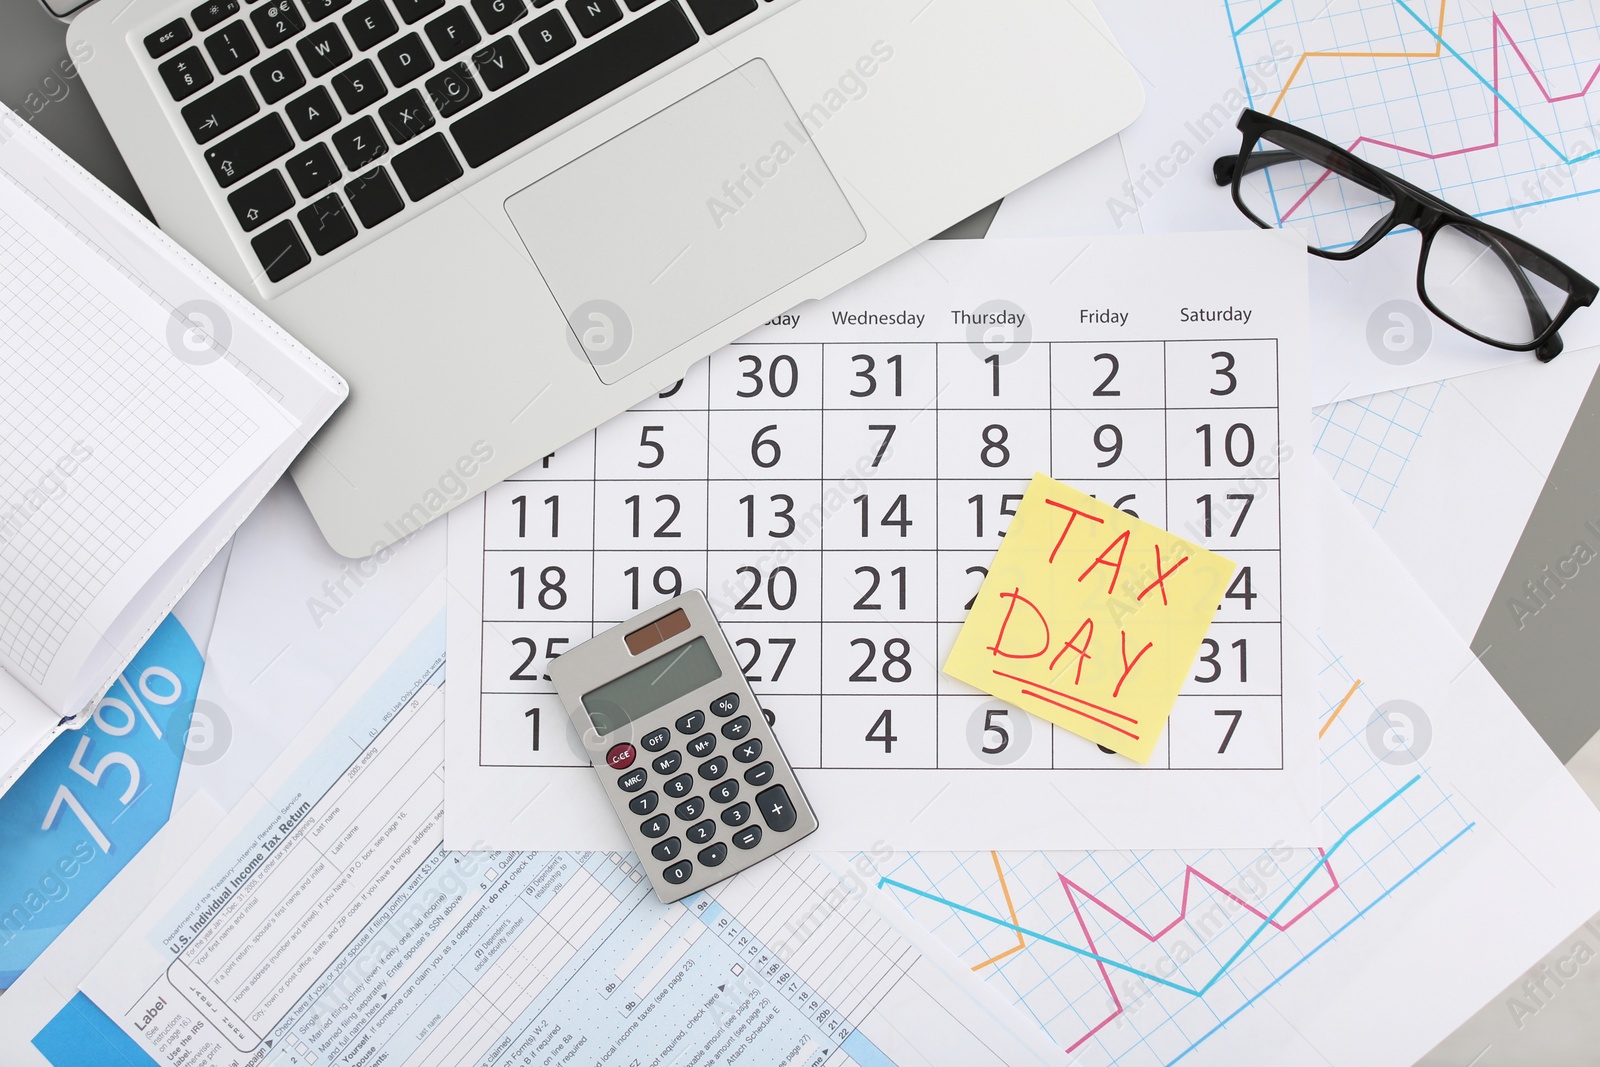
(684, 220)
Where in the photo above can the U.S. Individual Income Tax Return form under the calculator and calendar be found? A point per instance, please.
(324, 924)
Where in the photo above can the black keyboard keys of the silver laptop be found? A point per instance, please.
(322, 119)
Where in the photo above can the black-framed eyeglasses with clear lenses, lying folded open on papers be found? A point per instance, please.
(1478, 278)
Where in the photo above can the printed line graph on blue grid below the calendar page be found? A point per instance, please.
(1142, 957)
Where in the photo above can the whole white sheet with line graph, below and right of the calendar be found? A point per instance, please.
(1458, 853)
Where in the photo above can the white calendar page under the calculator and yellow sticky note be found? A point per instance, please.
(839, 482)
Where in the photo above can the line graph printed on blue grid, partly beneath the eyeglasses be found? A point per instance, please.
(1492, 108)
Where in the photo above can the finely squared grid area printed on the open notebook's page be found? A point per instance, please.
(105, 436)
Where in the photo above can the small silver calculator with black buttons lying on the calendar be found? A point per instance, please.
(682, 746)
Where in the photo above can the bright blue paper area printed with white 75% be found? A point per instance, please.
(95, 797)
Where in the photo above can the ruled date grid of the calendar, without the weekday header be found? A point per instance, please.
(841, 533)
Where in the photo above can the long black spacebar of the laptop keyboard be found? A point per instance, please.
(574, 84)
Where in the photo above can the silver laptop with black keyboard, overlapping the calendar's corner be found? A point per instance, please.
(505, 222)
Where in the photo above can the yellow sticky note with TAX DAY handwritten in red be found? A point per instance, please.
(1090, 618)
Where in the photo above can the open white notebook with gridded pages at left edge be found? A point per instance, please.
(145, 410)
